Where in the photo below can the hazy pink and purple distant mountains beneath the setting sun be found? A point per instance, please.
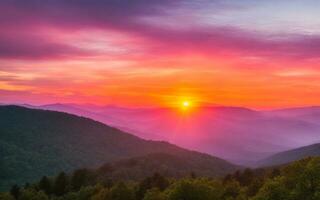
(237, 134)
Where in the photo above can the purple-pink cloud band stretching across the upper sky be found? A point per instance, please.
(125, 16)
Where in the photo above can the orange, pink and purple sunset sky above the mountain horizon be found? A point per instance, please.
(257, 54)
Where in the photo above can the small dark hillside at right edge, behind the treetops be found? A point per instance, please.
(291, 155)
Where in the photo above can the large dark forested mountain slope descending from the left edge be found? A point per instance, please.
(34, 143)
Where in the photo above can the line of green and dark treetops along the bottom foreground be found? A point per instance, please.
(297, 181)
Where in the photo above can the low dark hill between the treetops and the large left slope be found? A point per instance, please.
(169, 165)
